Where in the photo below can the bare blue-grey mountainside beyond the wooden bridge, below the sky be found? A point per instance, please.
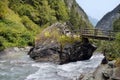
(106, 23)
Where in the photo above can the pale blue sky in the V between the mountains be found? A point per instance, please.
(98, 8)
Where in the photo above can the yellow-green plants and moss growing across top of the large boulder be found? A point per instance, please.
(53, 35)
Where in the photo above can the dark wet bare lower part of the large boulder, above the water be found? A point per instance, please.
(69, 53)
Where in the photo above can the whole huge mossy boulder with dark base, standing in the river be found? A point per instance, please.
(58, 44)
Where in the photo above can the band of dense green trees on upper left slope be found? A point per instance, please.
(41, 12)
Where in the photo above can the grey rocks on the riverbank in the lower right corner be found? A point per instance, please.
(104, 72)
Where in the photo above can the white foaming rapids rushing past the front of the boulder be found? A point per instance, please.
(70, 71)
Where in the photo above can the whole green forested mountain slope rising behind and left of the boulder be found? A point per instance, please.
(22, 20)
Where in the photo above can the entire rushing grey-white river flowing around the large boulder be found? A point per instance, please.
(19, 66)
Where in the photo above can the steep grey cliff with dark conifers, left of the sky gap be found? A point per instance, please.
(78, 17)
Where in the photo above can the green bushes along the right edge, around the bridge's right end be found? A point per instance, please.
(113, 48)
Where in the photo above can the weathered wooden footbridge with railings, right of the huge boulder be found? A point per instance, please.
(97, 34)
